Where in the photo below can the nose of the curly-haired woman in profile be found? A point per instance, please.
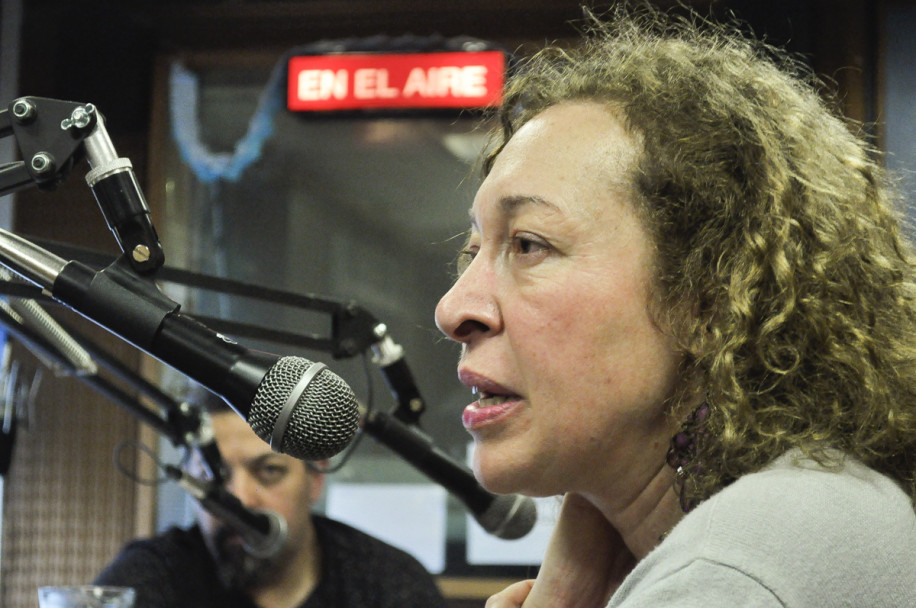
(469, 309)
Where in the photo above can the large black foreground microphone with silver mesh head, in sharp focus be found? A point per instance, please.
(299, 407)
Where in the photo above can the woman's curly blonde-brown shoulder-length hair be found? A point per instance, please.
(781, 268)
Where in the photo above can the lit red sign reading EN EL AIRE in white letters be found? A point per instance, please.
(399, 80)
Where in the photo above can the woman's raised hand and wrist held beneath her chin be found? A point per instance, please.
(586, 561)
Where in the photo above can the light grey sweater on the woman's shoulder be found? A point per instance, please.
(793, 535)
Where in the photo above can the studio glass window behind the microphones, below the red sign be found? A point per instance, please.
(368, 208)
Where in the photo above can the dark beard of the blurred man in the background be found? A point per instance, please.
(235, 567)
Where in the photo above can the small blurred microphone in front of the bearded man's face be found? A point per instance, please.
(262, 532)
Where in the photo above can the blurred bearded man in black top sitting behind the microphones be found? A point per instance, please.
(322, 563)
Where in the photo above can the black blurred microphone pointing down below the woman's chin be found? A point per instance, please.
(507, 516)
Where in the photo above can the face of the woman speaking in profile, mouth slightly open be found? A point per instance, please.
(571, 374)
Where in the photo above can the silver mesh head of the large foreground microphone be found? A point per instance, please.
(323, 420)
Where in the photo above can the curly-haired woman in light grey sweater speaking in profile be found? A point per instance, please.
(685, 303)
